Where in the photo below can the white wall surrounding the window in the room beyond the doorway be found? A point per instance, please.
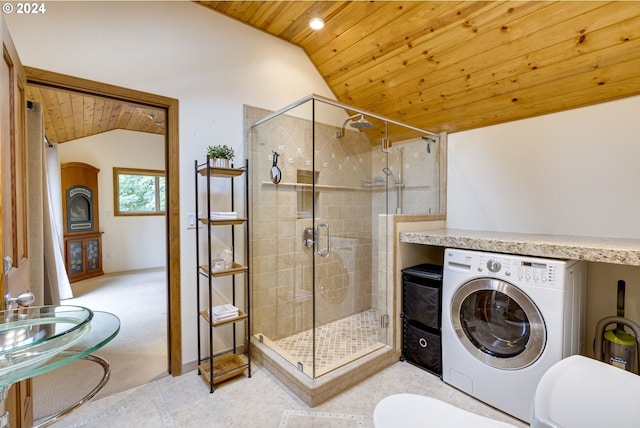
(128, 243)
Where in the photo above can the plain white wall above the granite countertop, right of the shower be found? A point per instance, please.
(570, 173)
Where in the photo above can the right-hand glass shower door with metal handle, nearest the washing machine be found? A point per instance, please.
(349, 297)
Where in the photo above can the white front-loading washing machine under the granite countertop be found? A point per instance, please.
(505, 320)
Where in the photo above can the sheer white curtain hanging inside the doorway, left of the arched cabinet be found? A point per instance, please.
(56, 270)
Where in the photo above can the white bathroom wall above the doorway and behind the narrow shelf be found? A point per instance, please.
(212, 64)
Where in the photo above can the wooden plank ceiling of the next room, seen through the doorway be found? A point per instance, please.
(72, 115)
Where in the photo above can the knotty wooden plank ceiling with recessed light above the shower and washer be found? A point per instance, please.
(451, 66)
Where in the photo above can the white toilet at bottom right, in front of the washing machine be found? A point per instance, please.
(577, 392)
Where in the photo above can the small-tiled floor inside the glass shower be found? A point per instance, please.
(336, 343)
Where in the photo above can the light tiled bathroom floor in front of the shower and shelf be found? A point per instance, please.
(185, 402)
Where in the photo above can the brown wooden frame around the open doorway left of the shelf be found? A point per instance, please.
(51, 79)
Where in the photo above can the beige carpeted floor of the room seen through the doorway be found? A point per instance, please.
(137, 355)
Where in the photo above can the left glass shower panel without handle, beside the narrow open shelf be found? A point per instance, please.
(282, 248)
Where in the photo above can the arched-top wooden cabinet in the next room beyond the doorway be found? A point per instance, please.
(82, 237)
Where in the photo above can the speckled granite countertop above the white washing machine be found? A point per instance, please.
(593, 249)
